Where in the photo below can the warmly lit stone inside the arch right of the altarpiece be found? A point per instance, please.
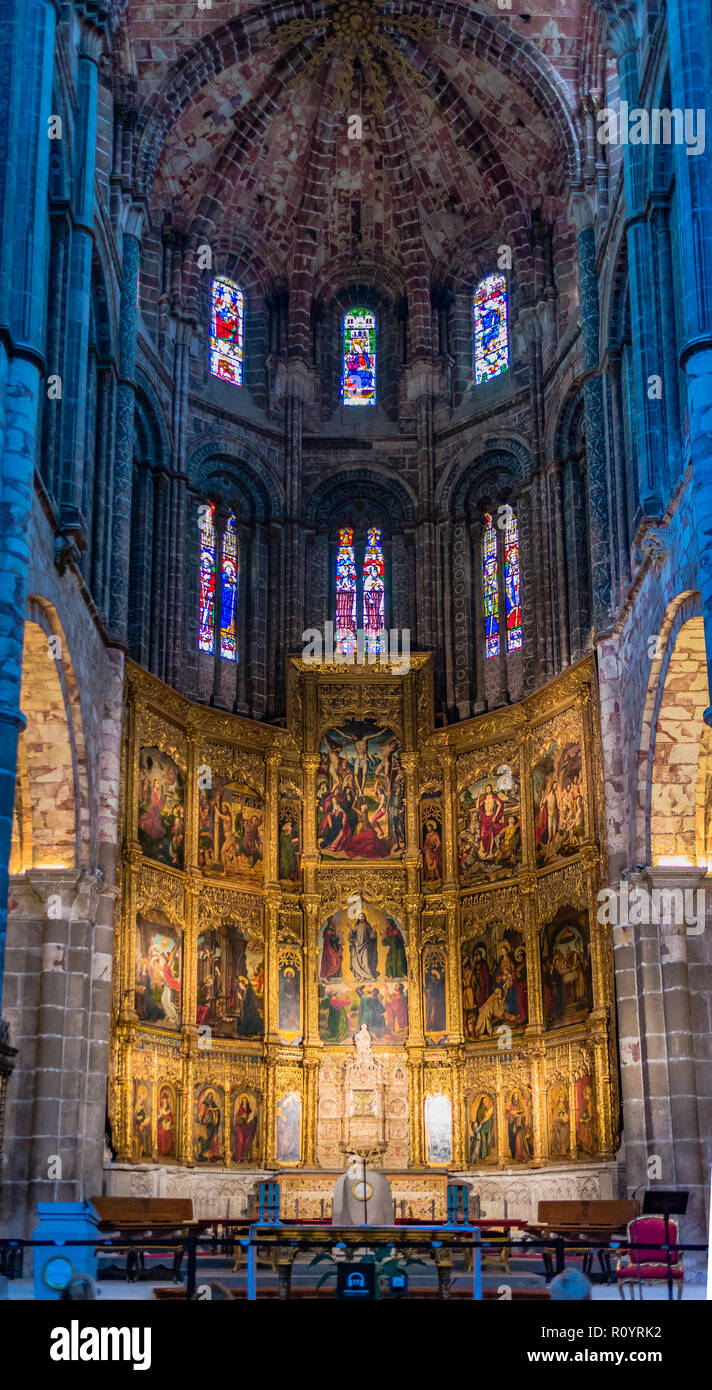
(672, 740)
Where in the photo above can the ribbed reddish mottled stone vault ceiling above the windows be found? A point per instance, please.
(236, 142)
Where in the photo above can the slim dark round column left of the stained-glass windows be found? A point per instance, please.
(124, 436)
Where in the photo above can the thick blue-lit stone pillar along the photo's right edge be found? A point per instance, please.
(692, 90)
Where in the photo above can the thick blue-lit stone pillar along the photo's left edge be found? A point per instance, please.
(27, 54)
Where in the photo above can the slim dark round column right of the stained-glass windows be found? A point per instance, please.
(582, 213)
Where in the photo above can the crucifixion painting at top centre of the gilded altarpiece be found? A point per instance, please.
(361, 794)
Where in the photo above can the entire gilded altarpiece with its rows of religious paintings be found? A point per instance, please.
(283, 889)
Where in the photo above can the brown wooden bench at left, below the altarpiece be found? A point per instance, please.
(148, 1217)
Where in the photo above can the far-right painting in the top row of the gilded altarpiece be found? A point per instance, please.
(558, 803)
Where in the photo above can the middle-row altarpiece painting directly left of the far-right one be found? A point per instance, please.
(494, 983)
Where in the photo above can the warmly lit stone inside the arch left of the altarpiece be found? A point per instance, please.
(52, 810)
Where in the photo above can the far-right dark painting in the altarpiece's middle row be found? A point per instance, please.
(567, 968)
